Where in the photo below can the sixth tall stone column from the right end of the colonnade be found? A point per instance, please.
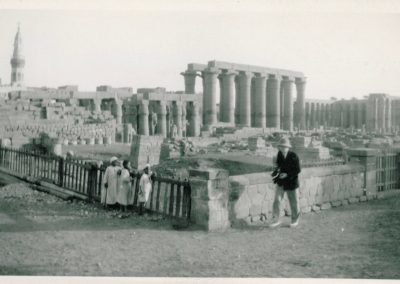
(227, 103)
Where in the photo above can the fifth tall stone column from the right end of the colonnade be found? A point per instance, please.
(245, 98)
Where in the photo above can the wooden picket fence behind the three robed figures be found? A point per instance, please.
(170, 197)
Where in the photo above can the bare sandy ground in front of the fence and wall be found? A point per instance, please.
(43, 235)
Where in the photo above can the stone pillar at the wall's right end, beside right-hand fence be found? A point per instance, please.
(367, 158)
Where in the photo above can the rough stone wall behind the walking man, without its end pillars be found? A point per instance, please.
(251, 196)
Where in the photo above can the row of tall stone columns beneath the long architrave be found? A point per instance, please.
(257, 95)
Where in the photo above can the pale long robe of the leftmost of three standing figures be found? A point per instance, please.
(109, 194)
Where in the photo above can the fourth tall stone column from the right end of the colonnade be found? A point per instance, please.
(260, 100)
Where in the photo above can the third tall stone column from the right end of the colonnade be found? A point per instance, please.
(273, 102)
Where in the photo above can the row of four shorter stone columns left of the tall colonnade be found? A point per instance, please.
(178, 117)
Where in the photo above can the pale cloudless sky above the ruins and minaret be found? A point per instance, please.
(344, 50)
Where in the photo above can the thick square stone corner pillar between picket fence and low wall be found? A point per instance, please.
(209, 198)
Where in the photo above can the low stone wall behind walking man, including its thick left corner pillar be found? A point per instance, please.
(220, 201)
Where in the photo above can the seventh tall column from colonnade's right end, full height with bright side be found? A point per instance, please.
(210, 96)
